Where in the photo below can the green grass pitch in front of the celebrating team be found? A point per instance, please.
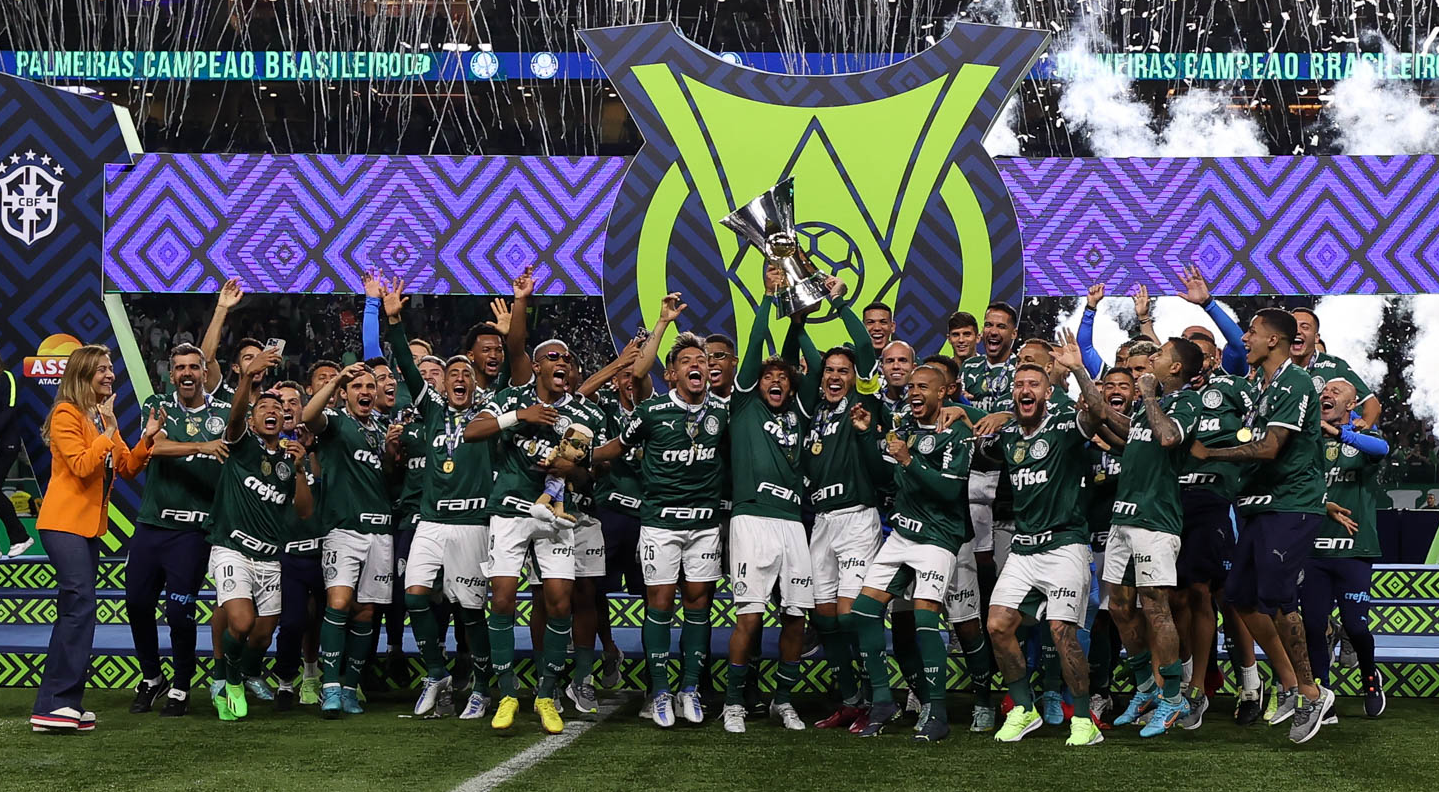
(383, 752)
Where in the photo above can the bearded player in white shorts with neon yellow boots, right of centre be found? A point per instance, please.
(1048, 571)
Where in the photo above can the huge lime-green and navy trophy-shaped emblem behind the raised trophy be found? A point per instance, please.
(889, 166)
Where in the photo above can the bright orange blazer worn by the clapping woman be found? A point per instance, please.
(78, 499)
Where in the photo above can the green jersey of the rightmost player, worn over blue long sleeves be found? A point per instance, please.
(1351, 477)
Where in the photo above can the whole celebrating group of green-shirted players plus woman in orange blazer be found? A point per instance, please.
(1050, 518)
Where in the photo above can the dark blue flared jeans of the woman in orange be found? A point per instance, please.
(67, 663)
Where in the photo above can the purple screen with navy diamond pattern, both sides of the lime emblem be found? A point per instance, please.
(466, 225)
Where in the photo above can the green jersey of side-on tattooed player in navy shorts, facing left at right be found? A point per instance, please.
(1294, 480)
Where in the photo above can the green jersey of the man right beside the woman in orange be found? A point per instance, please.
(179, 490)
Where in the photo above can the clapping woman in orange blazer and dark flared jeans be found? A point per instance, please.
(87, 454)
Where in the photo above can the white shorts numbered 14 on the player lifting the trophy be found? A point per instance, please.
(765, 552)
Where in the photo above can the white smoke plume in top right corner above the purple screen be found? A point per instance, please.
(1385, 117)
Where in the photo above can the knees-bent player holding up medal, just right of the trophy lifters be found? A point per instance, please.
(930, 525)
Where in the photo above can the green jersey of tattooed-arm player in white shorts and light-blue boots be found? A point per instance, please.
(1149, 490)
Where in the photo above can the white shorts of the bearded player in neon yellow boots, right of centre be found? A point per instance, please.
(1053, 585)
